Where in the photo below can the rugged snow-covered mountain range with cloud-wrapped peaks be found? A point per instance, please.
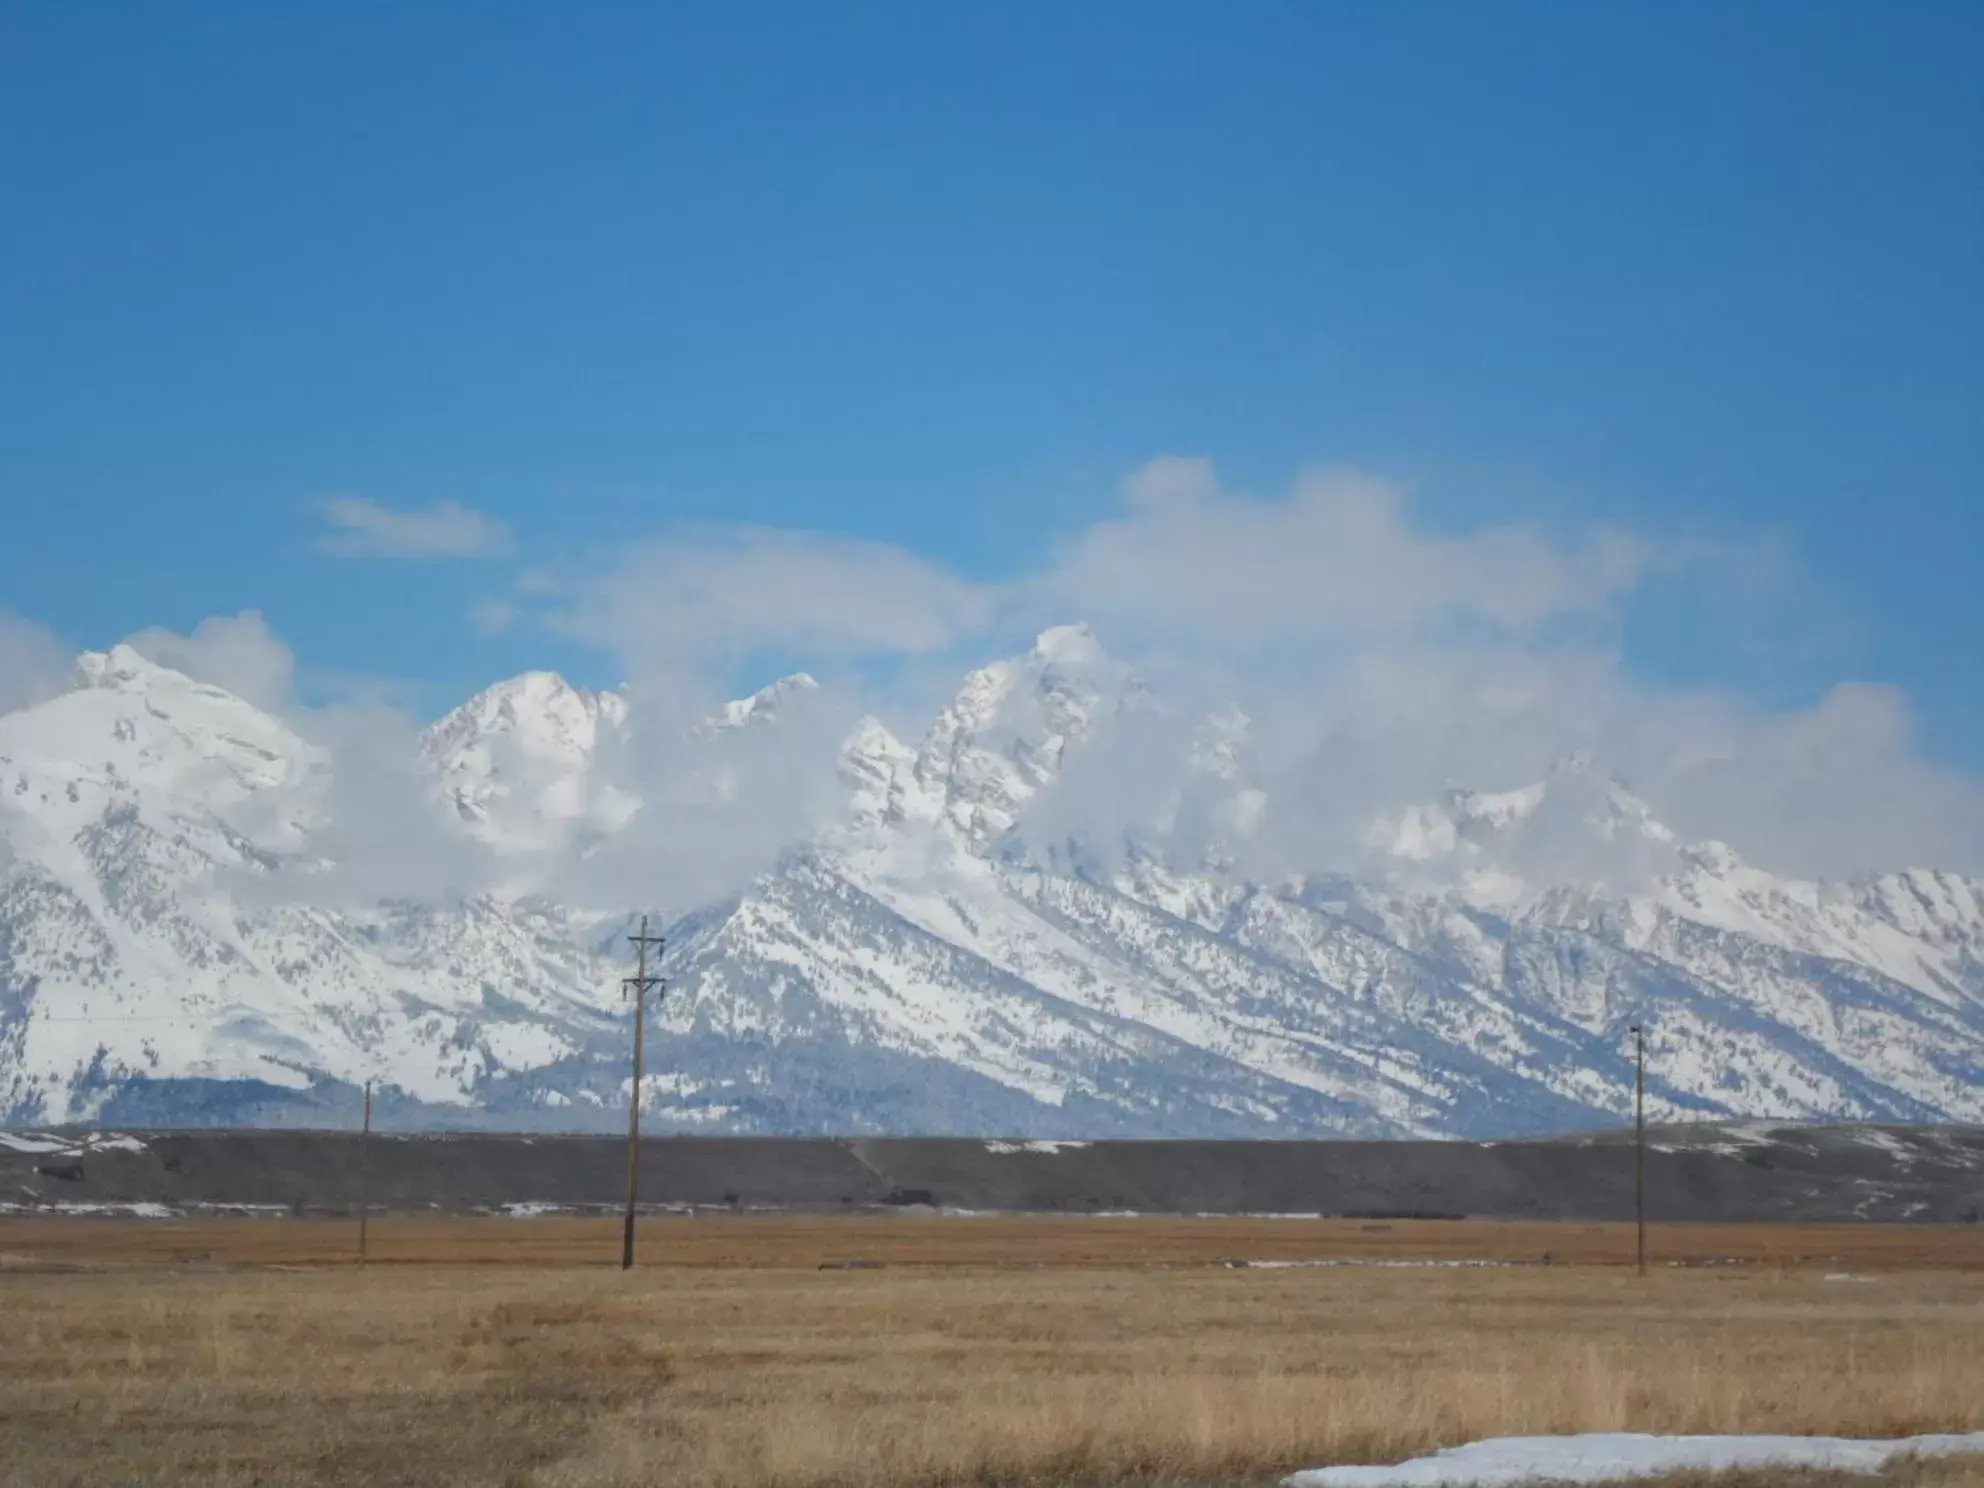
(951, 951)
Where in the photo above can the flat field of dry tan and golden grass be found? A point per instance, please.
(975, 1352)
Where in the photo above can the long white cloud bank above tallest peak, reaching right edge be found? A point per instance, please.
(1380, 660)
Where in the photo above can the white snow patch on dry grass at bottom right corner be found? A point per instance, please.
(1610, 1457)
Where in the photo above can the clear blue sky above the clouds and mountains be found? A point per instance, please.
(943, 277)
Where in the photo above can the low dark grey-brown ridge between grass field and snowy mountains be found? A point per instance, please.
(1701, 1174)
